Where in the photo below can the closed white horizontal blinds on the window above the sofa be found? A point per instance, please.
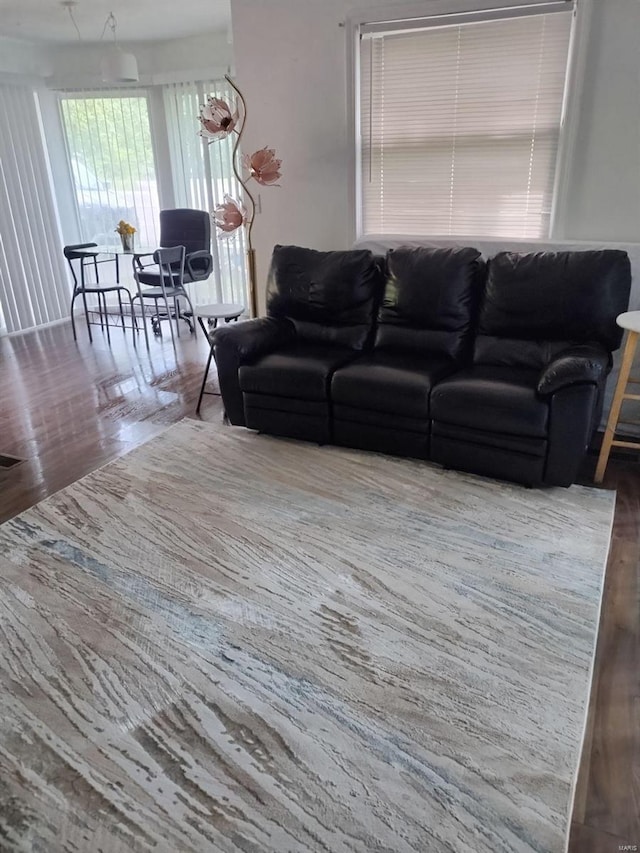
(460, 126)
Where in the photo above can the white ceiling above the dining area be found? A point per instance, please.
(137, 20)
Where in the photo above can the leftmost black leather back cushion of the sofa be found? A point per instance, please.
(330, 297)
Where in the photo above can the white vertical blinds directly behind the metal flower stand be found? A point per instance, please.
(202, 176)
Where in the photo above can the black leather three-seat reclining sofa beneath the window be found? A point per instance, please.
(497, 368)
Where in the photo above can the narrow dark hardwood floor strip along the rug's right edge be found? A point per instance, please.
(607, 808)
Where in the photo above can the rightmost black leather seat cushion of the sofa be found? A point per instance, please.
(492, 399)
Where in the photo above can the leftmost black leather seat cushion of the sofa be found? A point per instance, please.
(303, 371)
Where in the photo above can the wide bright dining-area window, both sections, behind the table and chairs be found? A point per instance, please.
(111, 138)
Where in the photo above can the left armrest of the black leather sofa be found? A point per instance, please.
(243, 343)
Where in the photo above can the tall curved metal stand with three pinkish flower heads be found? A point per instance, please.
(218, 120)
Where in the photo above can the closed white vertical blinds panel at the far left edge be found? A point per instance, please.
(34, 287)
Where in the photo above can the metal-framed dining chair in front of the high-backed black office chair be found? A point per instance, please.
(165, 285)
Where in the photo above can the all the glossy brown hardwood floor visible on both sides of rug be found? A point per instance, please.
(67, 408)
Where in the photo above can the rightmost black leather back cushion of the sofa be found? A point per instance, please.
(537, 304)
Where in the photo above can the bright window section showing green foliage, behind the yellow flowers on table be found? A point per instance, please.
(112, 166)
